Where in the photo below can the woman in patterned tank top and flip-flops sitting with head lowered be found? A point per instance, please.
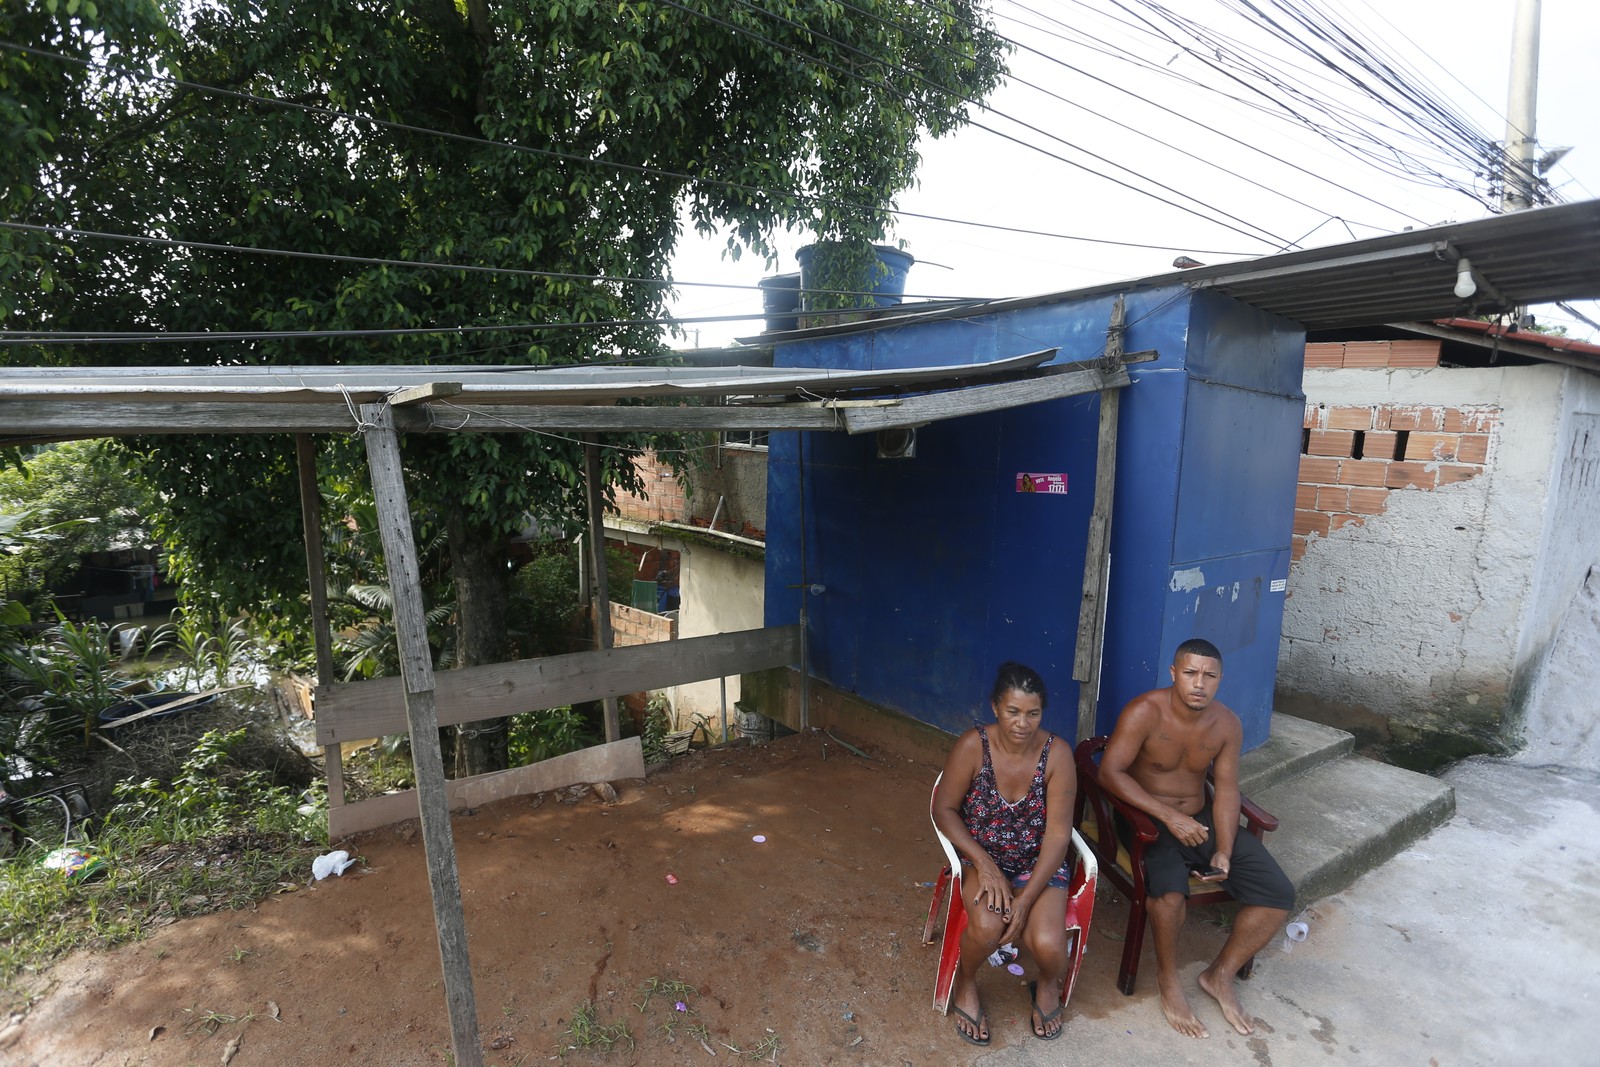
(1006, 802)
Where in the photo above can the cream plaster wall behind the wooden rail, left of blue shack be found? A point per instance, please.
(718, 593)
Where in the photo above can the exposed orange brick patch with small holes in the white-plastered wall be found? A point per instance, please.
(1353, 458)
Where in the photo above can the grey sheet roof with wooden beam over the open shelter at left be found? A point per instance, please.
(62, 404)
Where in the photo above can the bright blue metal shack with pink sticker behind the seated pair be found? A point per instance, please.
(937, 569)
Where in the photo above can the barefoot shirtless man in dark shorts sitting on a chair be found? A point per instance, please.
(1158, 759)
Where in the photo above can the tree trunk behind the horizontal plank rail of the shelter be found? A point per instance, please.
(482, 578)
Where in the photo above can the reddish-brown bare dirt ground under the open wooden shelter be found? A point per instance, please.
(810, 938)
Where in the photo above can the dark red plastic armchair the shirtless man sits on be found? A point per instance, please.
(1124, 868)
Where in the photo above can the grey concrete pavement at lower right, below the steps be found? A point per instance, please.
(1479, 945)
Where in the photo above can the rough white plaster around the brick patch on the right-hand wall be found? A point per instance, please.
(1417, 613)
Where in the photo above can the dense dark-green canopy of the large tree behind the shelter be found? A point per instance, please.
(569, 138)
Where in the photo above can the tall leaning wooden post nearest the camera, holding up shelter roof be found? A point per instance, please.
(417, 671)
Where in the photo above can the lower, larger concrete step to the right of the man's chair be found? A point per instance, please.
(1343, 818)
